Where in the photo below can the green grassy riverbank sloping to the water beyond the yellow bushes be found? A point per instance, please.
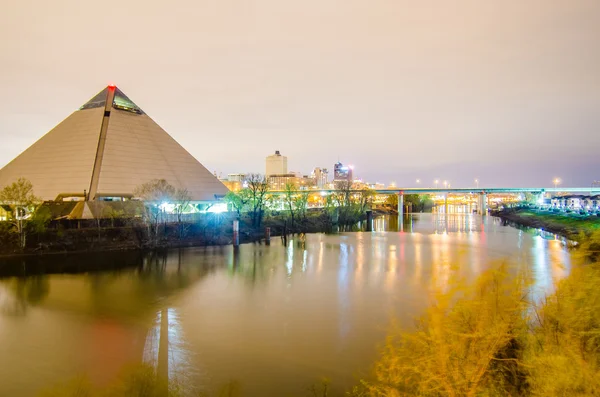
(569, 226)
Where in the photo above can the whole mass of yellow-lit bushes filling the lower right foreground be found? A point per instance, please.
(499, 337)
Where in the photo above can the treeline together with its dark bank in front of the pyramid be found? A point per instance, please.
(162, 218)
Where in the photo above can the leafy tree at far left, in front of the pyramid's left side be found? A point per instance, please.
(22, 202)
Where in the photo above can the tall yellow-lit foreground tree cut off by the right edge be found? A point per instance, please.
(564, 351)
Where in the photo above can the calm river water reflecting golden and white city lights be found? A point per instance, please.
(270, 319)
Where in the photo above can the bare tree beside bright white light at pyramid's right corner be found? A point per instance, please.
(155, 194)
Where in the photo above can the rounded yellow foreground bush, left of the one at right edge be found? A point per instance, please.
(470, 343)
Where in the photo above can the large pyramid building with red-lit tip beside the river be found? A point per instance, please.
(106, 149)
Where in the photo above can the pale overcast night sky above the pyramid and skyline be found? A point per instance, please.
(506, 91)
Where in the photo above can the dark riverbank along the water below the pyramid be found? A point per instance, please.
(133, 235)
